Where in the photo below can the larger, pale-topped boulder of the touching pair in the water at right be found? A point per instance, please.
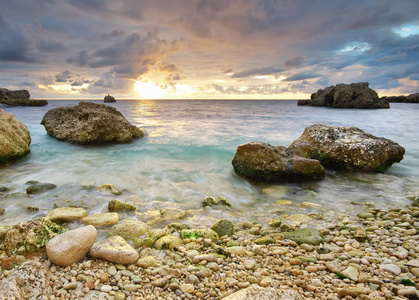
(349, 148)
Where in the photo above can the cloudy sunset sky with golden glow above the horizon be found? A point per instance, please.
(207, 49)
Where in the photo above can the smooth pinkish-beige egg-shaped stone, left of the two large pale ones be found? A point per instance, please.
(70, 247)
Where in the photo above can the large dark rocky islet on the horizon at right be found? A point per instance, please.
(354, 95)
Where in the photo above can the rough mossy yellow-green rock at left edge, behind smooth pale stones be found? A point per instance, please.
(28, 237)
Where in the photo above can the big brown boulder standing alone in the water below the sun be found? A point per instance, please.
(89, 123)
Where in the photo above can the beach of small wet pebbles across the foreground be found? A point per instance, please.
(374, 255)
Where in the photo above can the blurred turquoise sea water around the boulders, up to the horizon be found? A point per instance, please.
(186, 155)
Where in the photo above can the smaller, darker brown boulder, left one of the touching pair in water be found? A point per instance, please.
(262, 163)
